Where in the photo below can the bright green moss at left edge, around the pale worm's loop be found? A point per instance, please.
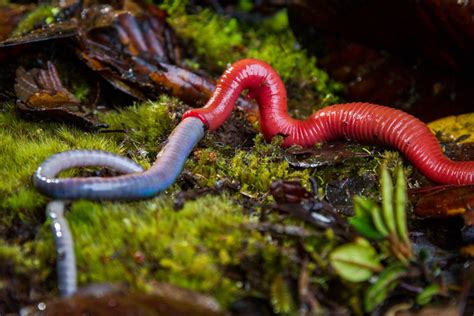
(23, 146)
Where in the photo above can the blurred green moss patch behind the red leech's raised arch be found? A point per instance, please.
(272, 41)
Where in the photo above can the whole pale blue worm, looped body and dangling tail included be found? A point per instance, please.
(170, 161)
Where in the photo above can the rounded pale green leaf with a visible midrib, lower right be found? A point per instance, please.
(355, 262)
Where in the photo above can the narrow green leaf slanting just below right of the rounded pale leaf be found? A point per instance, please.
(385, 283)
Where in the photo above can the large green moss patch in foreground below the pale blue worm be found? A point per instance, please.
(189, 248)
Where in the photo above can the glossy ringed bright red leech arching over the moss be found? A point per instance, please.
(363, 122)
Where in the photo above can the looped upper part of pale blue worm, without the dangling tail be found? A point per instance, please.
(139, 185)
